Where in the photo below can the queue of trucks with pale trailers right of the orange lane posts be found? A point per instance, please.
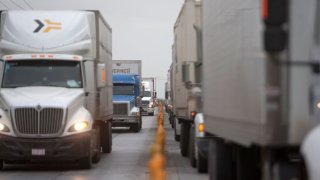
(243, 89)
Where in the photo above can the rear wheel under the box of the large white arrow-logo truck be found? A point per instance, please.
(106, 137)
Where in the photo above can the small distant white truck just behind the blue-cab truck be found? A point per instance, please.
(149, 96)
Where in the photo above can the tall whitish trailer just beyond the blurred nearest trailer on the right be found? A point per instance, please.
(185, 57)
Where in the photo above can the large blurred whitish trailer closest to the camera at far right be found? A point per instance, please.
(261, 86)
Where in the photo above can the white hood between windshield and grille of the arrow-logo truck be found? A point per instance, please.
(43, 96)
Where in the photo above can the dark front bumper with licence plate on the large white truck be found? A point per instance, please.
(68, 148)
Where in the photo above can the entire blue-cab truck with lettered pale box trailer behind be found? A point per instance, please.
(127, 94)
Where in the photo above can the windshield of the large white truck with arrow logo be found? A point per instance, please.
(55, 73)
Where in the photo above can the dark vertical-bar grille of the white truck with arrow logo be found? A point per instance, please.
(47, 121)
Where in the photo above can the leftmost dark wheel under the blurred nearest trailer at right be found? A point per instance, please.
(220, 160)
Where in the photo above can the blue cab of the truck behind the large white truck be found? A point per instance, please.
(127, 101)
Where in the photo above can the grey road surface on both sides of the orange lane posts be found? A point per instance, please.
(128, 160)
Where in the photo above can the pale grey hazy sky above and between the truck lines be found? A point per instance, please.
(142, 29)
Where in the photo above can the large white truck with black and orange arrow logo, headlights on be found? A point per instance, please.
(56, 86)
